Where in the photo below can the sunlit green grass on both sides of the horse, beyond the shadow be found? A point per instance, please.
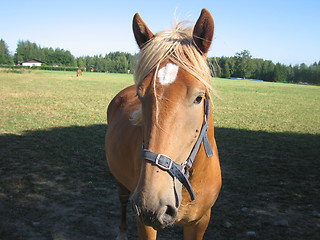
(46, 99)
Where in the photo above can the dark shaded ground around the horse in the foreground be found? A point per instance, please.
(54, 184)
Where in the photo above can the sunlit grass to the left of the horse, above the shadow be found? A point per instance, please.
(44, 99)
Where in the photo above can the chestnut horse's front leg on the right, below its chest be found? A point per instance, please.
(196, 232)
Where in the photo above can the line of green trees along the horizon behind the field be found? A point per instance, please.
(242, 65)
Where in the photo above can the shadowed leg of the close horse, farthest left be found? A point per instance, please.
(124, 195)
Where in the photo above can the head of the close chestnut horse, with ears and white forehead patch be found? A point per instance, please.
(173, 84)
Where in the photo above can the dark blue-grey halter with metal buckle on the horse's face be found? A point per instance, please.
(181, 172)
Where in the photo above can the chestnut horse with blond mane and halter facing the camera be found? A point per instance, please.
(160, 144)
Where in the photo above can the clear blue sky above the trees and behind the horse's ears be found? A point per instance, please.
(279, 30)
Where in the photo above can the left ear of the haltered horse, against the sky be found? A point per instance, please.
(141, 31)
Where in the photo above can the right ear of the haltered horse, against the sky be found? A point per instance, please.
(203, 31)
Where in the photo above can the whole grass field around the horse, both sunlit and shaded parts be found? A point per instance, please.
(54, 183)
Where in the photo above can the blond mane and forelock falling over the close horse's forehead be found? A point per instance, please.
(176, 45)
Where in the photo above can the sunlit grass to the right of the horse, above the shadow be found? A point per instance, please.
(265, 106)
